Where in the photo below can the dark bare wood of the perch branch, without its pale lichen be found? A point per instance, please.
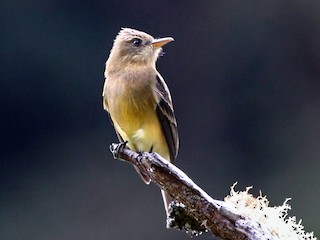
(193, 208)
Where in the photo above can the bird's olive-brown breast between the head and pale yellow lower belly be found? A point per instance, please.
(131, 100)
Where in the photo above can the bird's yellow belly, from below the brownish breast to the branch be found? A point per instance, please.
(138, 123)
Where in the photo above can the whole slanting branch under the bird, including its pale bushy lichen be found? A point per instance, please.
(240, 216)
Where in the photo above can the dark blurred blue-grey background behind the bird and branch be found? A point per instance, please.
(245, 81)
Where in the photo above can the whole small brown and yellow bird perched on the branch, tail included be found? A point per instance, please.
(138, 99)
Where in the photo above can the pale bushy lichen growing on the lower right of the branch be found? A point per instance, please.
(274, 219)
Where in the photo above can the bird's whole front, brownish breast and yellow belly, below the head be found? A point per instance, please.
(132, 104)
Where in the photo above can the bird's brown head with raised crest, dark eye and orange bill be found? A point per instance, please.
(136, 47)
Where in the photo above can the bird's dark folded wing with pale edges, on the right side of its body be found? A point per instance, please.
(166, 117)
